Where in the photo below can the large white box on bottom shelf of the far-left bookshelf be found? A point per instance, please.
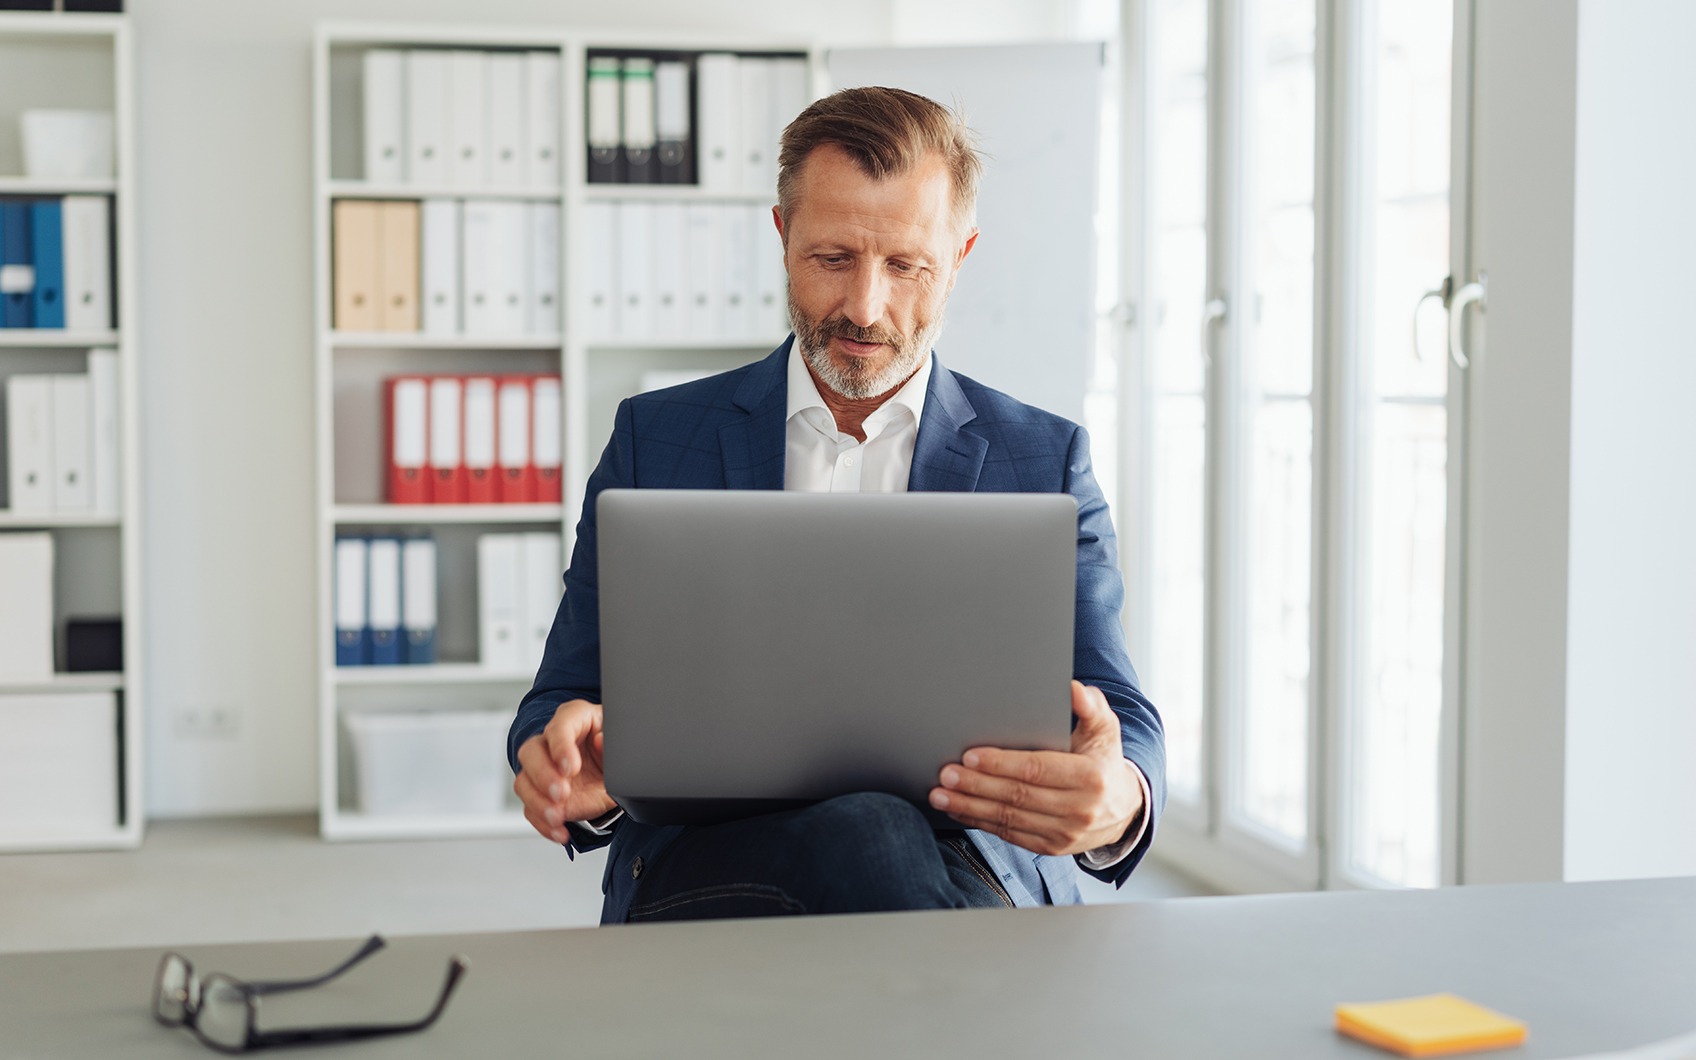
(59, 766)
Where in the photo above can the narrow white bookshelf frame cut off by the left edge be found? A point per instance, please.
(84, 62)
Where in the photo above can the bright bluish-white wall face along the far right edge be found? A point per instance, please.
(1632, 586)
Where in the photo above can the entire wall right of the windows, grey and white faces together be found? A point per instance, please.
(1582, 700)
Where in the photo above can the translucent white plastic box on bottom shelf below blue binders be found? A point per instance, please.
(430, 762)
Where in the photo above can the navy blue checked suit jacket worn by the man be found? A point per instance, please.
(728, 432)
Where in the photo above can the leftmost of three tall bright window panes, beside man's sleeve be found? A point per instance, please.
(1178, 232)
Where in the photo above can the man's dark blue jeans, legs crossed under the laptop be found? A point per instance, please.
(856, 854)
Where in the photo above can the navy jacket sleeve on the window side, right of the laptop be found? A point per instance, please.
(1100, 654)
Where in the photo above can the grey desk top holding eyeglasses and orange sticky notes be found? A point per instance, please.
(1587, 966)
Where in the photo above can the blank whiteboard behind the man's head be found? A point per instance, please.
(1024, 315)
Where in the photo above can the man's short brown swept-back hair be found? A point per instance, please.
(886, 131)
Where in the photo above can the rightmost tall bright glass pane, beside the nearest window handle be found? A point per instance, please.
(1395, 762)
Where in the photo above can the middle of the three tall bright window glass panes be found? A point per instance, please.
(1278, 367)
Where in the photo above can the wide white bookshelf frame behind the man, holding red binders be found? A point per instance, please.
(596, 374)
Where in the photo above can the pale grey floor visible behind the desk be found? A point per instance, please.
(213, 881)
